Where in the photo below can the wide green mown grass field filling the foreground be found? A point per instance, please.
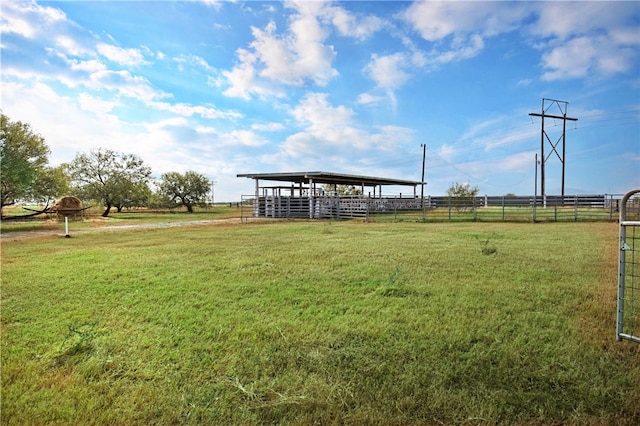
(317, 323)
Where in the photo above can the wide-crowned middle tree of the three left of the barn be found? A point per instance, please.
(111, 177)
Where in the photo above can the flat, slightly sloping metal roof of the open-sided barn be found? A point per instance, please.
(328, 177)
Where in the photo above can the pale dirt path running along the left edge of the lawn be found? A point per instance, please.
(18, 236)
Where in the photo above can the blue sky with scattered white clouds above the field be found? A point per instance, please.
(353, 87)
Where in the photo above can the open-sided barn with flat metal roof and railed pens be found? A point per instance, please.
(305, 194)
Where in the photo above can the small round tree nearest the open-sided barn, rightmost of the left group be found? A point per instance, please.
(186, 189)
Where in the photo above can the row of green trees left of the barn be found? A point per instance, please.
(115, 180)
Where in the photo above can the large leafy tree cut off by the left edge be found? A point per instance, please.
(23, 157)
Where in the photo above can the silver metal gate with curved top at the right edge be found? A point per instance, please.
(628, 326)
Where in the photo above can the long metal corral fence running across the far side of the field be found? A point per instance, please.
(571, 208)
